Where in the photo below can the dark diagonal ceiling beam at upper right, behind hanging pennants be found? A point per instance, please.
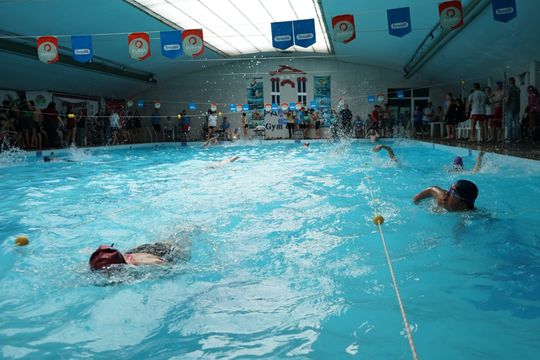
(439, 37)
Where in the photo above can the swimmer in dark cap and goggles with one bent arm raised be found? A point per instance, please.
(460, 197)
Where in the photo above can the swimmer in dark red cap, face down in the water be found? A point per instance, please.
(159, 253)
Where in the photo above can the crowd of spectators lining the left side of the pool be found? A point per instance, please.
(25, 126)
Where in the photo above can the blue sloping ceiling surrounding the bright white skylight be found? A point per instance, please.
(483, 46)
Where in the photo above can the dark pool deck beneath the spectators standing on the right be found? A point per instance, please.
(523, 150)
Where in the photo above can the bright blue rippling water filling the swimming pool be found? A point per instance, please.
(285, 260)
